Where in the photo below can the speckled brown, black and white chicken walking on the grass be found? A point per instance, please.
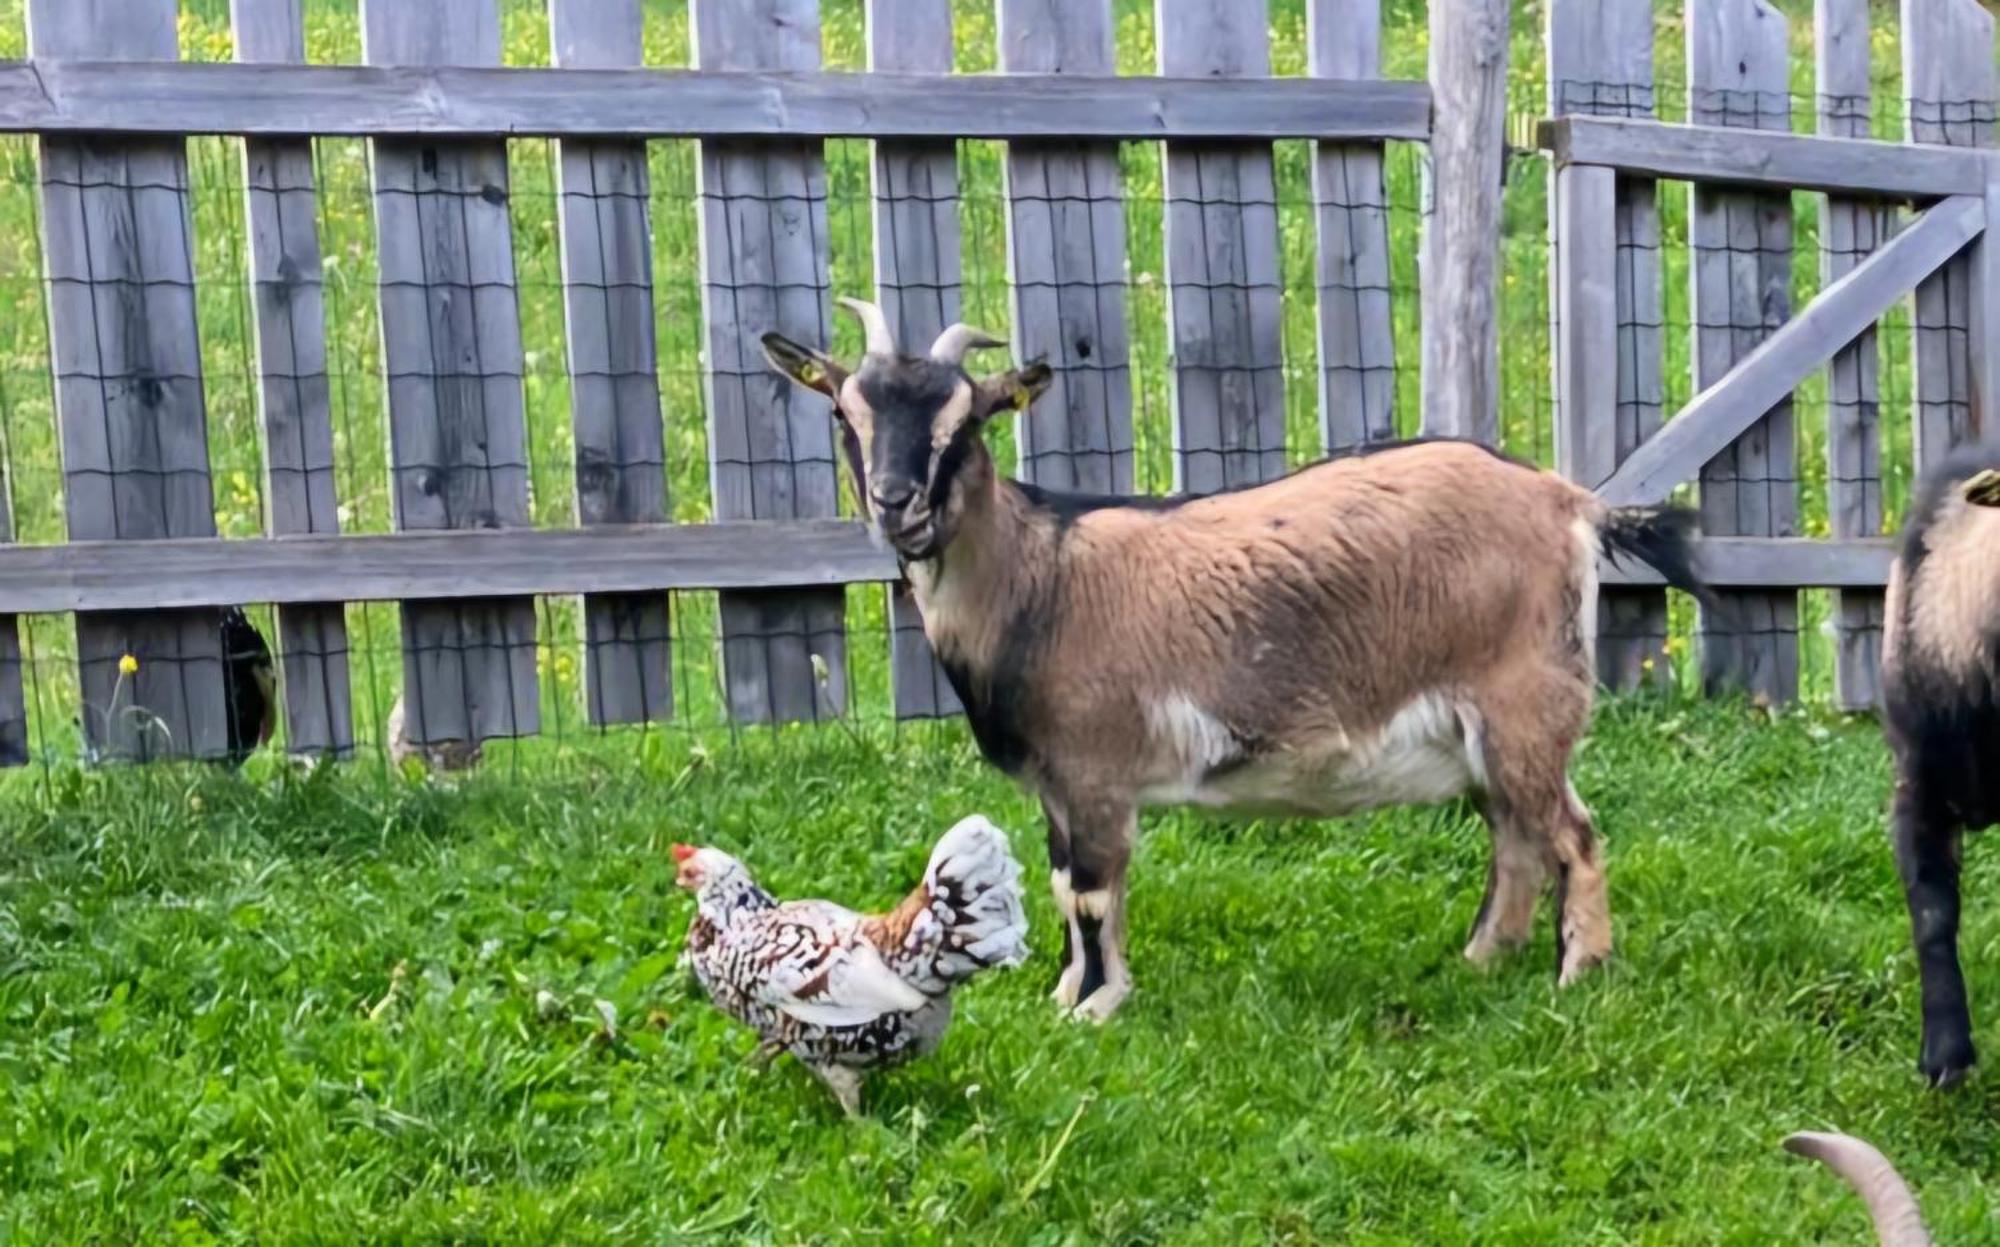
(849, 992)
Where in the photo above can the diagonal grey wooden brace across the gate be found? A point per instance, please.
(1803, 345)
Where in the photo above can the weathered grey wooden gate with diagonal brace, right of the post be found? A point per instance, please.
(1737, 439)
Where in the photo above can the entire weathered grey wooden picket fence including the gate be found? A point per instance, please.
(145, 573)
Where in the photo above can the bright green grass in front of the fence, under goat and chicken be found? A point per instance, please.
(195, 1042)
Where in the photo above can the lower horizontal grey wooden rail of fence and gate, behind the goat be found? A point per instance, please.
(455, 565)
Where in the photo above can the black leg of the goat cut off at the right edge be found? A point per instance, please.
(1927, 856)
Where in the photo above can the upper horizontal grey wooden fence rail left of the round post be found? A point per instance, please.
(55, 97)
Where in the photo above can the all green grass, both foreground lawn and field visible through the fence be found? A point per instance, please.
(201, 1040)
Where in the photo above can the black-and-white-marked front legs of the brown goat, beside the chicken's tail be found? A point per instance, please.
(1095, 904)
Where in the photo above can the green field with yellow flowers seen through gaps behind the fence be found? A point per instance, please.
(29, 431)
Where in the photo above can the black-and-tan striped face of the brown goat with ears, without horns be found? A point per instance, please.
(911, 429)
